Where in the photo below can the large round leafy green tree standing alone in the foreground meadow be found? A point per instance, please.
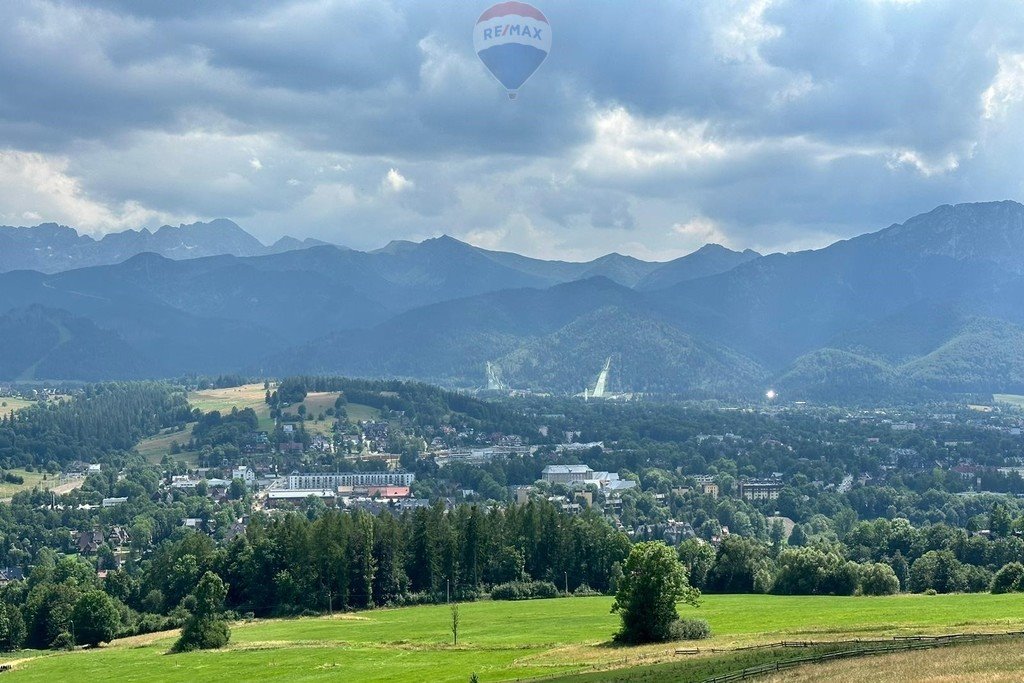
(654, 581)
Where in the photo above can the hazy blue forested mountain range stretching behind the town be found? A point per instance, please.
(929, 307)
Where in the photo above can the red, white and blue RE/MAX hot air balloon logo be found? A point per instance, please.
(513, 39)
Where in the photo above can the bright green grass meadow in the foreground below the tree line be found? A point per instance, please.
(502, 642)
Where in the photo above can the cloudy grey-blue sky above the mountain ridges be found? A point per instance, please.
(652, 130)
